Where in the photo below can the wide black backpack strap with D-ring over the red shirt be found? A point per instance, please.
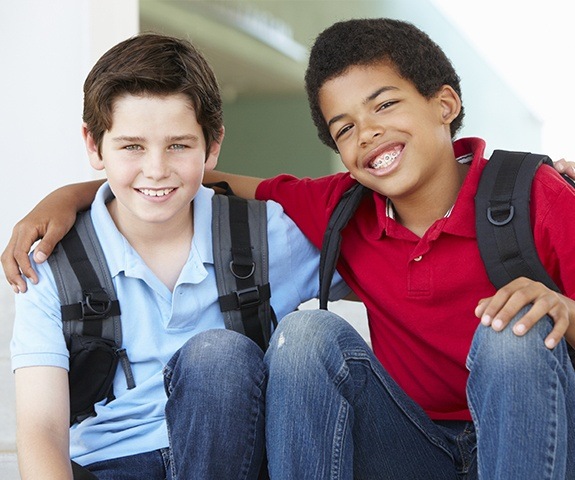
(503, 222)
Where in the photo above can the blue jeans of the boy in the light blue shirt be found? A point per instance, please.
(215, 414)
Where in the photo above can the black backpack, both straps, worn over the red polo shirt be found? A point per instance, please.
(503, 223)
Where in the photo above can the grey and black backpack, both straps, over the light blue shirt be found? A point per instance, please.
(91, 311)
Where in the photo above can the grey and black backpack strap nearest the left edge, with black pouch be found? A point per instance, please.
(90, 316)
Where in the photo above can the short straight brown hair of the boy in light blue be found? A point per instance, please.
(152, 64)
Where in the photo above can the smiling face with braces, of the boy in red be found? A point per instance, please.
(390, 137)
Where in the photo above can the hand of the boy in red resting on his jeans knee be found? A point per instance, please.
(498, 310)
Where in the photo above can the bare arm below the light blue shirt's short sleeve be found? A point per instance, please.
(42, 419)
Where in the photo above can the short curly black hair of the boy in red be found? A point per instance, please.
(416, 57)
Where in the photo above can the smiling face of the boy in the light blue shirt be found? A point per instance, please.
(155, 157)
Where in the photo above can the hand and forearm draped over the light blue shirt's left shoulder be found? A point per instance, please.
(49, 221)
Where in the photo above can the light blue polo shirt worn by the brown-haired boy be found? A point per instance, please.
(155, 321)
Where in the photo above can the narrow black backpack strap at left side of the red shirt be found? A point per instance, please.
(331, 243)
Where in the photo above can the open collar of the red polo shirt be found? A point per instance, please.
(460, 219)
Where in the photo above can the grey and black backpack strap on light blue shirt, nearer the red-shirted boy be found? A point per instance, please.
(241, 262)
